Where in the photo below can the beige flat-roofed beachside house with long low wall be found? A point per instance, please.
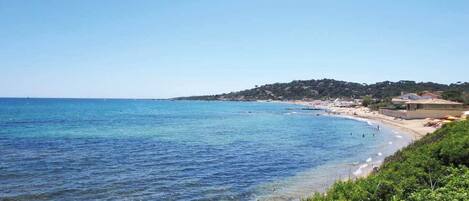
(426, 108)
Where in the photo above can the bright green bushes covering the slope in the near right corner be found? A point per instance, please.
(433, 168)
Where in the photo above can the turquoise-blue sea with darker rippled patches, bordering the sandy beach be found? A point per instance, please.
(75, 149)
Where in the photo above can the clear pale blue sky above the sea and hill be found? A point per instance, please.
(168, 48)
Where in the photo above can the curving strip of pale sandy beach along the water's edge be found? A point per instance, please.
(412, 129)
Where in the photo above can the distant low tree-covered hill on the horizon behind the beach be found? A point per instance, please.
(330, 88)
